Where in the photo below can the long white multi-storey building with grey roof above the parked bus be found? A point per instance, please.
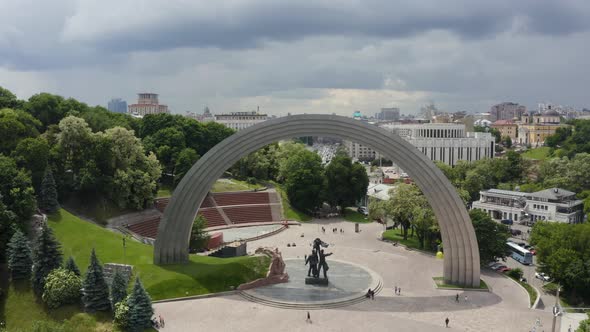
(553, 204)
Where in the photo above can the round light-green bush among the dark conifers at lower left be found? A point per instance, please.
(61, 287)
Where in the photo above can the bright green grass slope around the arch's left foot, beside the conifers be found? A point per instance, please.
(201, 275)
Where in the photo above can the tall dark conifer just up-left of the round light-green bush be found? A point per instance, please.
(46, 258)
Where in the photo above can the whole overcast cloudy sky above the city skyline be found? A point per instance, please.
(312, 56)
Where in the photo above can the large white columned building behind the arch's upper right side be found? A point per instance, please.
(445, 142)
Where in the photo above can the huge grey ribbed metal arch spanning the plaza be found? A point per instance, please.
(461, 262)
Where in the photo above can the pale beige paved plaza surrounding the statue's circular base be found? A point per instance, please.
(419, 307)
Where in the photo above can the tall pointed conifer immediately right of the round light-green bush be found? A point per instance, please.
(95, 292)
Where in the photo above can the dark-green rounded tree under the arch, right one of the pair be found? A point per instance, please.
(346, 182)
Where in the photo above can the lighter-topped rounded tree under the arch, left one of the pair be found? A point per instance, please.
(304, 179)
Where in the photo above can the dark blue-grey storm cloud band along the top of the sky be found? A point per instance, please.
(251, 23)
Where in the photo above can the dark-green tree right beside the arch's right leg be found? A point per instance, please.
(491, 236)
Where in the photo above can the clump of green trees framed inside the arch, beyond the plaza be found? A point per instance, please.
(300, 173)
